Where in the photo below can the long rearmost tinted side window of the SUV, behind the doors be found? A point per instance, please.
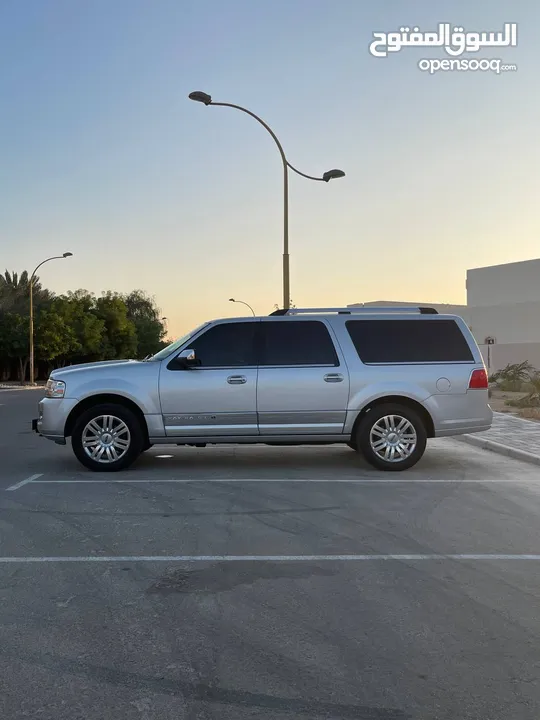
(409, 341)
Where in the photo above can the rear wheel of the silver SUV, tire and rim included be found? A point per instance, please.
(382, 422)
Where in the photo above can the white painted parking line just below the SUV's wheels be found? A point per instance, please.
(333, 481)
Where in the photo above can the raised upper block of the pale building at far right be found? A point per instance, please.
(504, 284)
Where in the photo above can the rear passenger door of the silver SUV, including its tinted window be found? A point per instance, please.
(303, 382)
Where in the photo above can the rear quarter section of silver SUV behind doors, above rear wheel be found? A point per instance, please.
(429, 359)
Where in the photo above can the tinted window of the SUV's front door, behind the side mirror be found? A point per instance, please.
(227, 345)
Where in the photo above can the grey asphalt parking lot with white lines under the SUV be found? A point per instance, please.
(264, 582)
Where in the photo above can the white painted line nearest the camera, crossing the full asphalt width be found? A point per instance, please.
(265, 558)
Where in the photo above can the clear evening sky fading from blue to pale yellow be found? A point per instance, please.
(103, 155)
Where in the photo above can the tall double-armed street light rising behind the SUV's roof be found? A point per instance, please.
(206, 99)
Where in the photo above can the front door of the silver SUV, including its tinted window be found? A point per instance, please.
(219, 397)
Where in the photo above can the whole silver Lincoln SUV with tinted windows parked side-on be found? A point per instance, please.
(381, 380)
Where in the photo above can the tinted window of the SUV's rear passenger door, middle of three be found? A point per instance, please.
(296, 343)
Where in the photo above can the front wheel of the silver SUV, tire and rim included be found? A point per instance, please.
(87, 435)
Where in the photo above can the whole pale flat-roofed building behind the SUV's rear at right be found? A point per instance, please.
(503, 311)
